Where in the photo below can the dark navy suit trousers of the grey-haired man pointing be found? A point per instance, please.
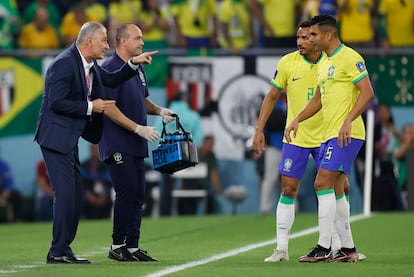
(64, 175)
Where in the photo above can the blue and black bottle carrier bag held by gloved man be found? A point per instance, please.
(176, 151)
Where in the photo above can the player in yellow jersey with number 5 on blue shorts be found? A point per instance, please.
(344, 91)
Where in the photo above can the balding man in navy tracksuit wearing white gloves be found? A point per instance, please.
(124, 146)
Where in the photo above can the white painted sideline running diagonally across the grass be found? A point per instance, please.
(237, 251)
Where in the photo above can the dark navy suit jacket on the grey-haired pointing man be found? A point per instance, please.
(62, 118)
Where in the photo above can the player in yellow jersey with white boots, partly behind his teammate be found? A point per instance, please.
(297, 74)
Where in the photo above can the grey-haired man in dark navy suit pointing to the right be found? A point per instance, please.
(73, 103)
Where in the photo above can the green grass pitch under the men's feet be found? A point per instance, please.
(387, 239)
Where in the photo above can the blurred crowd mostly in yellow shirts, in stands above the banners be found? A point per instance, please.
(226, 24)
